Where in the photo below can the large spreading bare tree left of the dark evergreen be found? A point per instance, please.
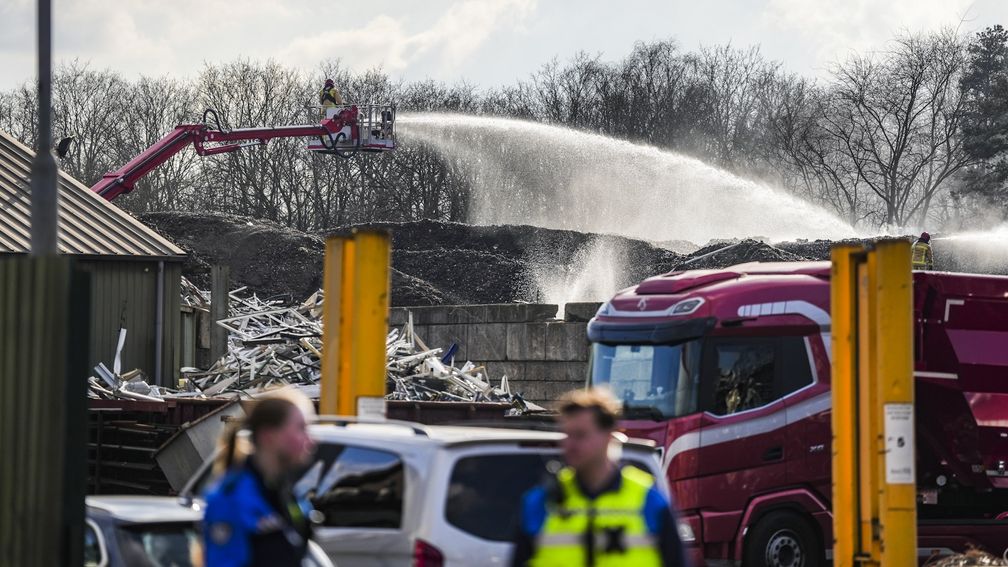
(902, 115)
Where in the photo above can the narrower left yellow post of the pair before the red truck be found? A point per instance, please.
(843, 306)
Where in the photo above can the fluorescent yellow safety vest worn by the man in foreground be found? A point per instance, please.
(615, 521)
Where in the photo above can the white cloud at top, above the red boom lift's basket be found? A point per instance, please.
(386, 42)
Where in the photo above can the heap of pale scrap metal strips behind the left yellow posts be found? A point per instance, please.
(271, 345)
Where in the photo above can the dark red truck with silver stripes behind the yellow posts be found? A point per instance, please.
(729, 372)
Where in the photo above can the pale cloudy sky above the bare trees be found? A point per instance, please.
(486, 43)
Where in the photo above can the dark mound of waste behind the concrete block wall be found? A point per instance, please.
(453, 264)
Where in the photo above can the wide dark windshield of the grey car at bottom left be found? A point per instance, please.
(158, 545)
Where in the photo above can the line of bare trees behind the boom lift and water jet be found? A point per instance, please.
(916, 135)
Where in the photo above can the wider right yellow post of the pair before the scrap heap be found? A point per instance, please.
(371, 290)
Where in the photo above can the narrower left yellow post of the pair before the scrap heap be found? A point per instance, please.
(332, 284)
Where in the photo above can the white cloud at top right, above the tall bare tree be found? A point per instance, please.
(834, 30)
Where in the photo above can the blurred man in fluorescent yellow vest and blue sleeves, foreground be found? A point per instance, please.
(595, 513)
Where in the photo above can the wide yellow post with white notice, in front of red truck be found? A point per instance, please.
(894, 321)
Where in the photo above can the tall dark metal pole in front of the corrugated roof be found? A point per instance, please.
(45, 198)
